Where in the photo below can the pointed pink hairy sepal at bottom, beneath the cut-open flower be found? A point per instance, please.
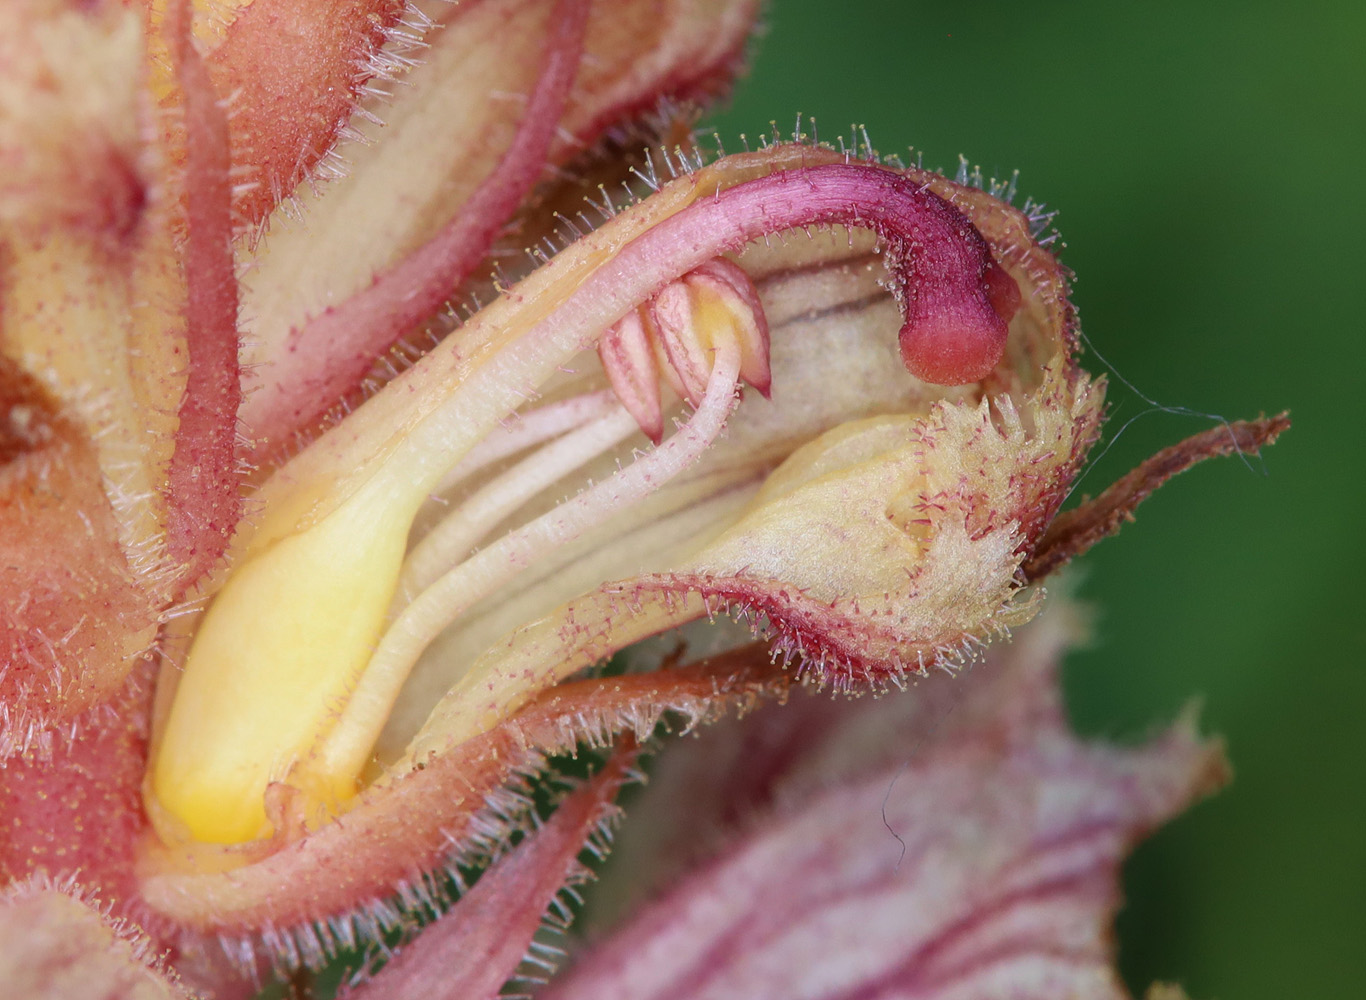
(477, 946)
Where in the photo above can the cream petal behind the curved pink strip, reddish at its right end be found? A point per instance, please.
(449, 122)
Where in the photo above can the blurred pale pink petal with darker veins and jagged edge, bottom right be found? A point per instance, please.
(965, 850)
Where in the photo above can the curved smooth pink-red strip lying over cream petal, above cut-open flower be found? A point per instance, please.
(331, 353)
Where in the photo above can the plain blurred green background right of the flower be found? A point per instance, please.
(1207, 170)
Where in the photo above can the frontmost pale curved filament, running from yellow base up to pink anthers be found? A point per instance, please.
(349, 745)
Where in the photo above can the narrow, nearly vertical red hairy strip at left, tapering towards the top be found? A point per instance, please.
(201, 487)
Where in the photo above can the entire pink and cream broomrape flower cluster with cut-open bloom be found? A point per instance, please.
(334, 523)
